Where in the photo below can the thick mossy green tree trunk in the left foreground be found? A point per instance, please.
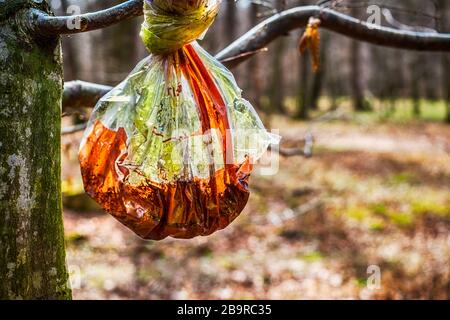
(32, 254)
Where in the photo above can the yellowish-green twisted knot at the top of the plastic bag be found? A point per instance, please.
(170, 24)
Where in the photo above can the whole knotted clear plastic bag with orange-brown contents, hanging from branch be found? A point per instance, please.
(169, 151)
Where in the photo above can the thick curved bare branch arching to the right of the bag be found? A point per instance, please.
(268, 30)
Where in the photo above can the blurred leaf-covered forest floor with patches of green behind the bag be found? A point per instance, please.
(374, 197)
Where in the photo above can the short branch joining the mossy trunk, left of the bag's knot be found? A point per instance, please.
(47, 25)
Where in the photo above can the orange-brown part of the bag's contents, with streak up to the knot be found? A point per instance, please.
(181, 209)
